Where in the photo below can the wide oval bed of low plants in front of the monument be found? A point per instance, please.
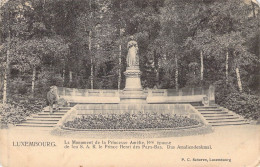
(131, 121)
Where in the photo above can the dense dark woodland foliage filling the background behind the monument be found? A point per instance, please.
(53, 38)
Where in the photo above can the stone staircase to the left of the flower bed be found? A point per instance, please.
(44, 119)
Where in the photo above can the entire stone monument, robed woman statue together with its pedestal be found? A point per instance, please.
(133, 91)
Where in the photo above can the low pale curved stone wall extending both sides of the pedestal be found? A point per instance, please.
(185, 95)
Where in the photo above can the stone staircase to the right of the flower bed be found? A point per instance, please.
(219, 116)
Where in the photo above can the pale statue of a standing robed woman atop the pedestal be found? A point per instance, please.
(132, 57)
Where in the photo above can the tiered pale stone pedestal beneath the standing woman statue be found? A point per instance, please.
(133, 92)
